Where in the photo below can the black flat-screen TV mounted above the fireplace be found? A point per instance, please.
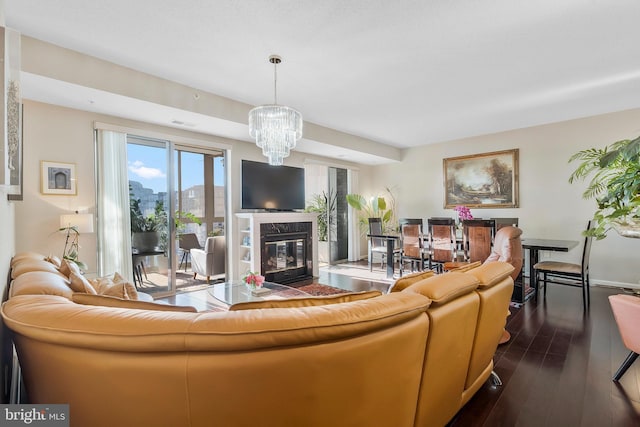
(279, 188)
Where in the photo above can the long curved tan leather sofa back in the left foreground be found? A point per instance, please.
(288, 366)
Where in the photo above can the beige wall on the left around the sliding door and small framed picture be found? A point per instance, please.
(61, 134)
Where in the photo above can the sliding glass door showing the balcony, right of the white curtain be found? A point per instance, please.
(164, 228)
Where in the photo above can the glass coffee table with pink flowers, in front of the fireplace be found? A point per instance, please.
(237, 291)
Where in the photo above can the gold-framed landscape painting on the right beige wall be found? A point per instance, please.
(488, 180)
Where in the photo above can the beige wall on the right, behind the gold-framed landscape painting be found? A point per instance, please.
(550, 207)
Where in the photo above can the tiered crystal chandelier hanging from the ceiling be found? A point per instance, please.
(276, 128)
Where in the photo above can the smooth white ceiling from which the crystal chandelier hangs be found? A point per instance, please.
(403, 73)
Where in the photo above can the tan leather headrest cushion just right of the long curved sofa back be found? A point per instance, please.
(443, 288)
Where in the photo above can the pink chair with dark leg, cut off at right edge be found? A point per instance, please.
(626, 311)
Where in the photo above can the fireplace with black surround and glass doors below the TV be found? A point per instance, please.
(286, 252)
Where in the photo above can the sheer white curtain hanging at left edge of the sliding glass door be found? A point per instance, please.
(114, 222)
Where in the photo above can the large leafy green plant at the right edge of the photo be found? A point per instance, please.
(615, 184)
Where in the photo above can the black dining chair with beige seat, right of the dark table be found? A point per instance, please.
(566, 273)
